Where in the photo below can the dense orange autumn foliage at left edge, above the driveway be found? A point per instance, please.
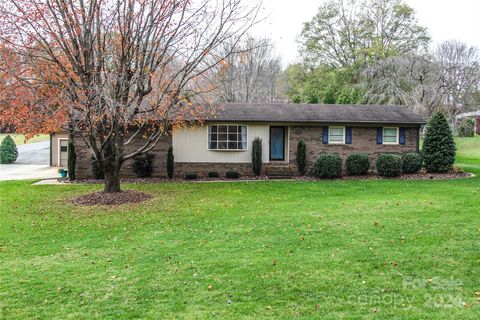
(29, 102)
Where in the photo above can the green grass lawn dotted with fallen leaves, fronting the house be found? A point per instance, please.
(370, 249)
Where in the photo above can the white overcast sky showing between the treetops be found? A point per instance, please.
(444, 19)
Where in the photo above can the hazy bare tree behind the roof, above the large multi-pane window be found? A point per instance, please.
(248, 76)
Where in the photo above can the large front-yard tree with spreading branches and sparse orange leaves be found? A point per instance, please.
(124, 64)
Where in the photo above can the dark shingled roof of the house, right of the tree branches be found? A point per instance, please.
(323, 113)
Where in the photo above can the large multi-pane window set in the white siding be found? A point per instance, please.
(227, 137)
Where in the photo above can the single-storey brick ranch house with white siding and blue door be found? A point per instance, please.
(223, 142)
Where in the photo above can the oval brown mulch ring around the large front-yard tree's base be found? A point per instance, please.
(111, 199)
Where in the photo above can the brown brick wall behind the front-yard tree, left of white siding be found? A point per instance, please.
(83, 166)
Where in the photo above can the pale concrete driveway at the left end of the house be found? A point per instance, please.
(33, 163)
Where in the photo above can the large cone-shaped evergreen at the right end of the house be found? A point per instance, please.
(438, 147)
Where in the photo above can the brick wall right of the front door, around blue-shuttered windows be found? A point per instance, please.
(364, 140)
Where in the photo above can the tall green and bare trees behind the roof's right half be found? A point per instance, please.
(376, 52)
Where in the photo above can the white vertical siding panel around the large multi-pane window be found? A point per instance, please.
(191, 145)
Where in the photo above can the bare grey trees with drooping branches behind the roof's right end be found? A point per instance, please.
(448, 79)
